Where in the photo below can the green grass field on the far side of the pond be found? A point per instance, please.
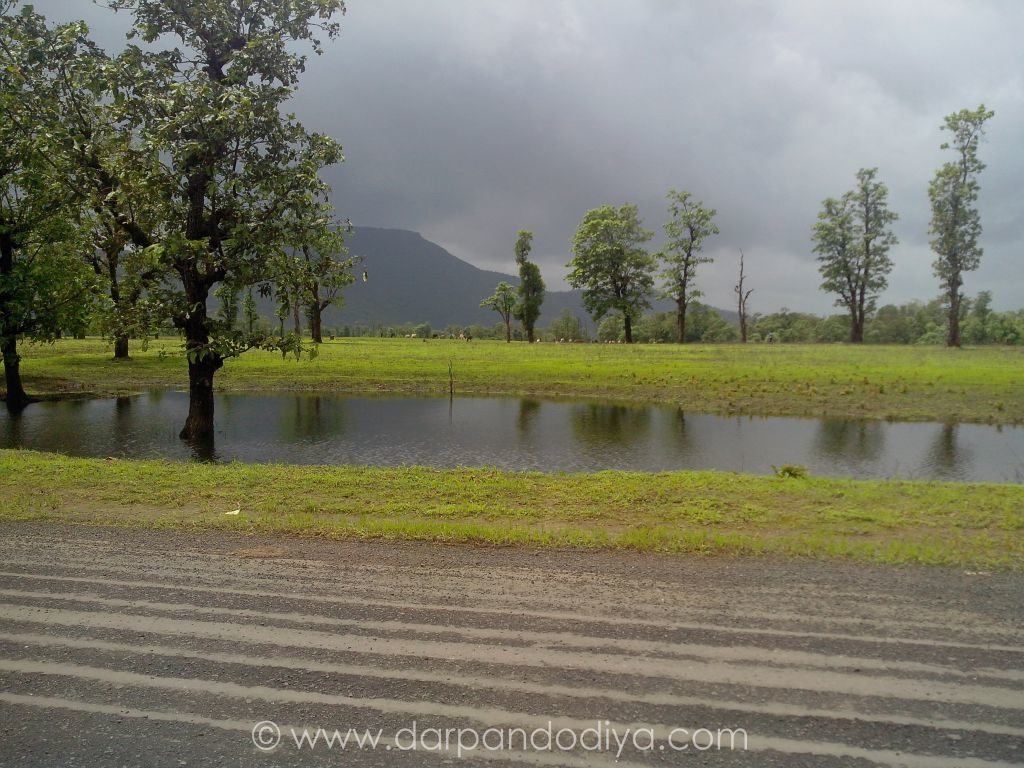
(880, 382)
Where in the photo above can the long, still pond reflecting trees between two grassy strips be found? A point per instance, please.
(514, 434)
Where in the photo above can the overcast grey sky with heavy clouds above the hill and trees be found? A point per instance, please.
(471, 120)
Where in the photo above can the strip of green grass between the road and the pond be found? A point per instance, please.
(969, 526)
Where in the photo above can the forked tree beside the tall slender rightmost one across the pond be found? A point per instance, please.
(852, 239)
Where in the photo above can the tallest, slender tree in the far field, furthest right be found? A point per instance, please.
(956, 223)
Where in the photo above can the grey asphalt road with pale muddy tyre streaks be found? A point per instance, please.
(151, 649)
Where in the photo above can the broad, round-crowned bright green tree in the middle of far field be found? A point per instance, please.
(611, 265)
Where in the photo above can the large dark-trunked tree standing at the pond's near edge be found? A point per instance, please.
(226, 166)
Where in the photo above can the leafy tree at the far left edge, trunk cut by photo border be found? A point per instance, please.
(45, 283)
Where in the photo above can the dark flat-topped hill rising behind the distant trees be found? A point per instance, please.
(413, 280)
